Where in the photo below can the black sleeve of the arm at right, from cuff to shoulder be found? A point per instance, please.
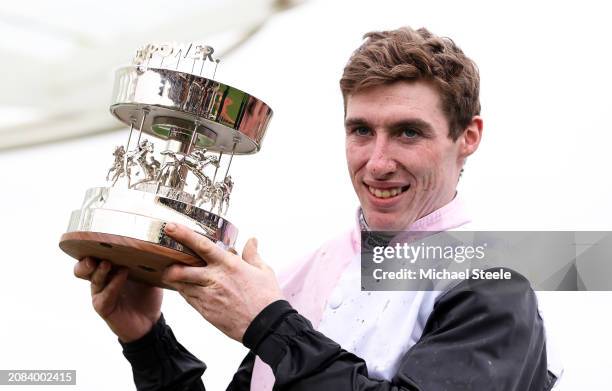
(481, 335)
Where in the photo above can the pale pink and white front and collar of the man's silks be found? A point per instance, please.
(325, 288)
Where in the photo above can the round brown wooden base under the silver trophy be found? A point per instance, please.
(146, 261)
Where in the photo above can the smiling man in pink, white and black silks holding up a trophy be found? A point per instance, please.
(412, 118)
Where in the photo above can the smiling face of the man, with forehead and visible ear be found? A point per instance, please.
(402, 163)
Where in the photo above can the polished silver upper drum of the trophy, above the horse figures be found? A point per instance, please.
(225, 118)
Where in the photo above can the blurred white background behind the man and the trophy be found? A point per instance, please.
(543, 164)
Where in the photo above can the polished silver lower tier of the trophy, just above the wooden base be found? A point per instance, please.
(141, 215)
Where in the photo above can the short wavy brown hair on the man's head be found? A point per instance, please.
(405, 54)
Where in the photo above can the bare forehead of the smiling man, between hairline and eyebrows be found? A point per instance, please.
(385, 104)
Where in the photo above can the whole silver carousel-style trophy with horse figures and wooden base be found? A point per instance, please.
(203, 124)
